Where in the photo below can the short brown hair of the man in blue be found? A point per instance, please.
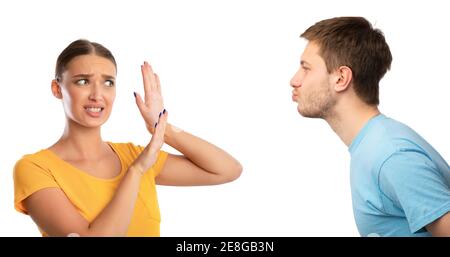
(353, 42)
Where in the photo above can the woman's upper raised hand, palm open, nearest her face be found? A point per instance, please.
(152, 104)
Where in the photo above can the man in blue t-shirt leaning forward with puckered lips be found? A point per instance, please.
(400, 185)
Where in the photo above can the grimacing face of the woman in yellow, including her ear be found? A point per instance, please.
(87, 89)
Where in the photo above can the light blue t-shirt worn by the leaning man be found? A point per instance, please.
(399, 182)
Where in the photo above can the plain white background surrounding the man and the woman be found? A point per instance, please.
(225, 68)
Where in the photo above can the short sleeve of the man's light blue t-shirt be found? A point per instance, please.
(414, 184)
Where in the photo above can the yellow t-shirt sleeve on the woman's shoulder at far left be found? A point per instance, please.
(29, 177)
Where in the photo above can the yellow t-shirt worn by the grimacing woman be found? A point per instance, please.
(87, 193)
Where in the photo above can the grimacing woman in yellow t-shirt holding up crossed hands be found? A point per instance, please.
(85, 186)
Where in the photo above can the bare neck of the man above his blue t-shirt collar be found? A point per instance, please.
(348, 120)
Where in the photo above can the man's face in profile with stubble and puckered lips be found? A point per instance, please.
(312, 85)
